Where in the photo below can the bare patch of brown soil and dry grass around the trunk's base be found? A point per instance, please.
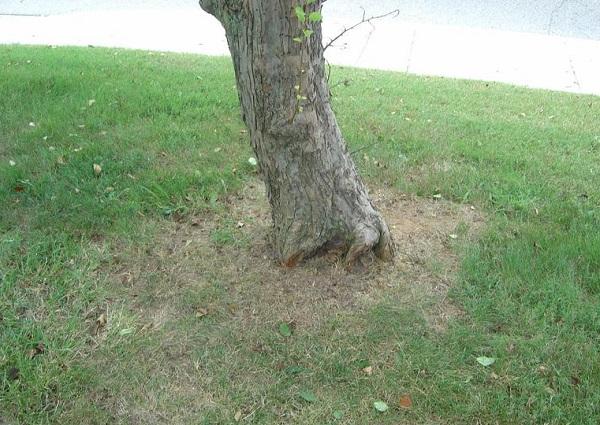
(229, 254)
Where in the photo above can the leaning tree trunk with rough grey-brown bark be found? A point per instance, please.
(316, 195)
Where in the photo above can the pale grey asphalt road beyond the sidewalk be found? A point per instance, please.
(567, 18)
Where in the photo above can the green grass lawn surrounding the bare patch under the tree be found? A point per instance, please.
(166, 131)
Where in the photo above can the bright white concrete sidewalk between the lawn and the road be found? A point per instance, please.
(527, 59)
